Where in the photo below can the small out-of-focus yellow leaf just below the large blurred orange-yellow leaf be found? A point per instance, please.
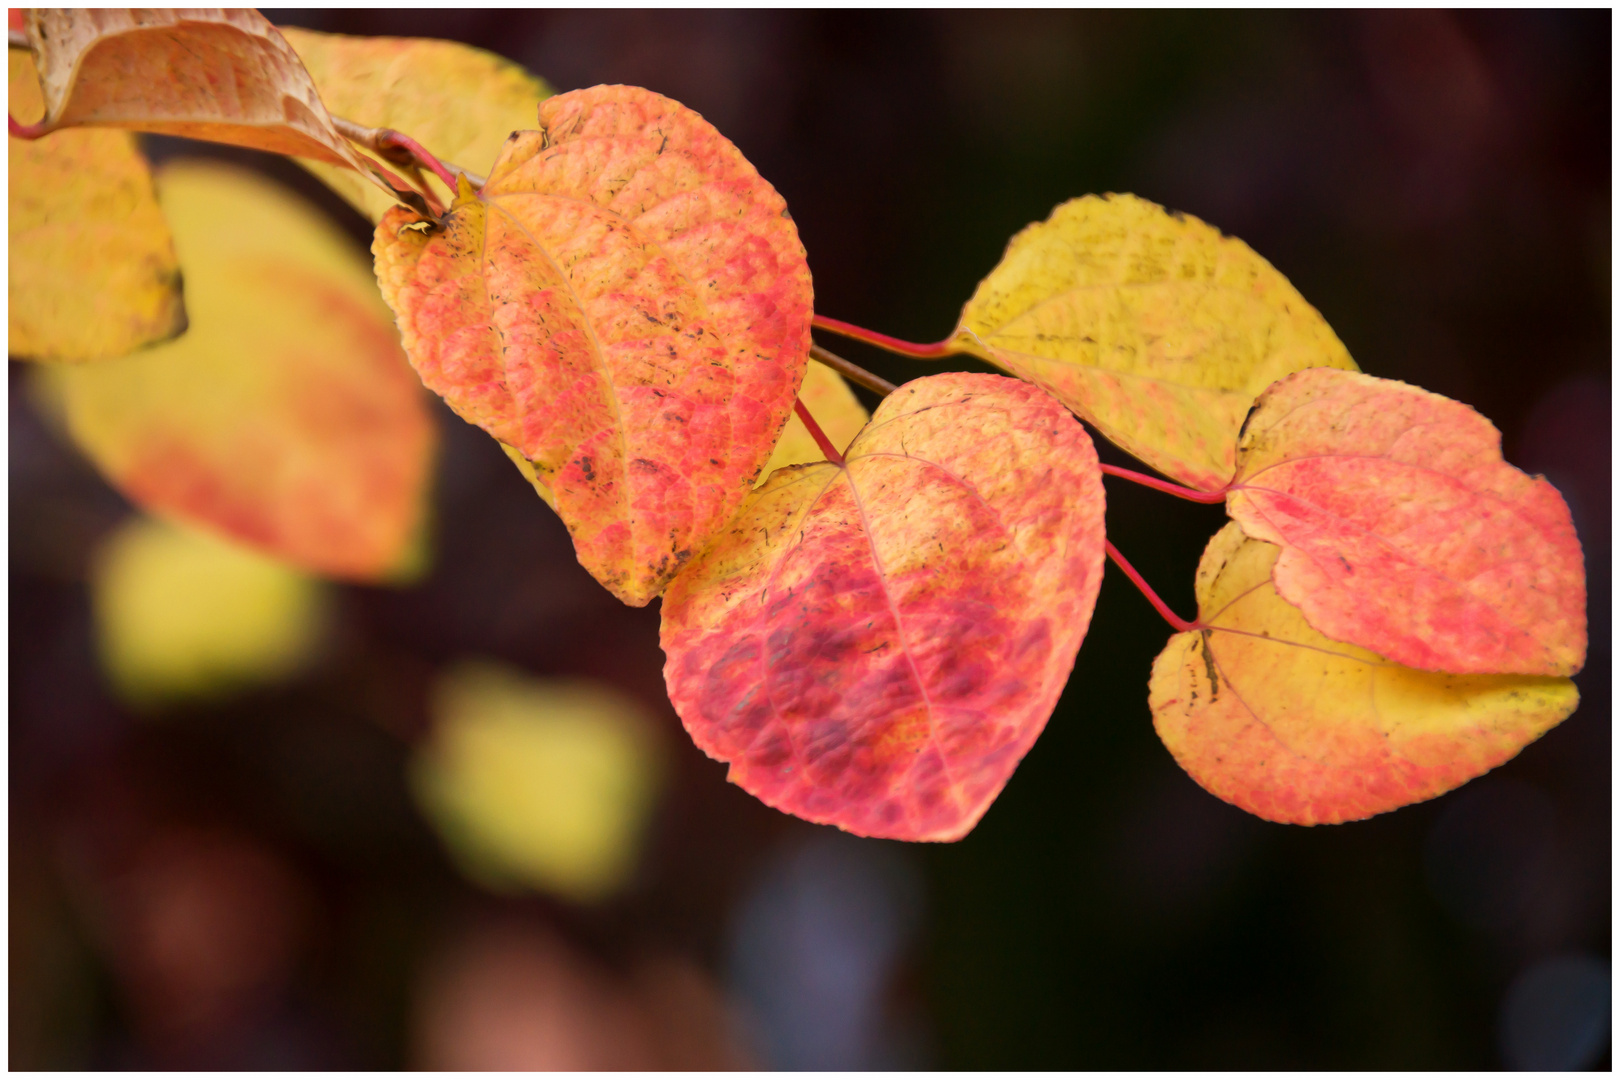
(184, 614)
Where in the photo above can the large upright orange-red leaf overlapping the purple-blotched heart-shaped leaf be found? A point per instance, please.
(628, 305)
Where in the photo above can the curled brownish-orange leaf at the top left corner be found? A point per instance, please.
(223, 75)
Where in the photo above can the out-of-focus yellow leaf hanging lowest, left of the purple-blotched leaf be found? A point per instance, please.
(539, 781)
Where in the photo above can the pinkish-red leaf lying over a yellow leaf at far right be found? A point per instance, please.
(1407, 534)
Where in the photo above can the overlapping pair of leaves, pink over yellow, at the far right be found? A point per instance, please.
(1392, 611)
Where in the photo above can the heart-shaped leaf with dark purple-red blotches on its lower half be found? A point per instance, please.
(877, 647)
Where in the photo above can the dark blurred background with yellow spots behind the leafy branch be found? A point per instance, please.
(343, 859)
